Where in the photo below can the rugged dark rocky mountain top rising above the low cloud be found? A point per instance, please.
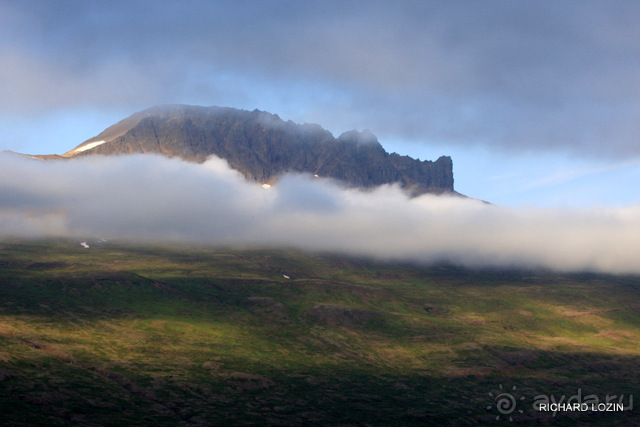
(263, 147)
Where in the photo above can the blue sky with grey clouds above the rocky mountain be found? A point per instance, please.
(536, 102)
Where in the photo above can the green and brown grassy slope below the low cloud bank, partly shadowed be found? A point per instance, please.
(123, 335)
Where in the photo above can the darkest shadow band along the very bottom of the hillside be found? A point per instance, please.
(53, 391)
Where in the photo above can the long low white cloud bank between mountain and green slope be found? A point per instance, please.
(149, 198)
